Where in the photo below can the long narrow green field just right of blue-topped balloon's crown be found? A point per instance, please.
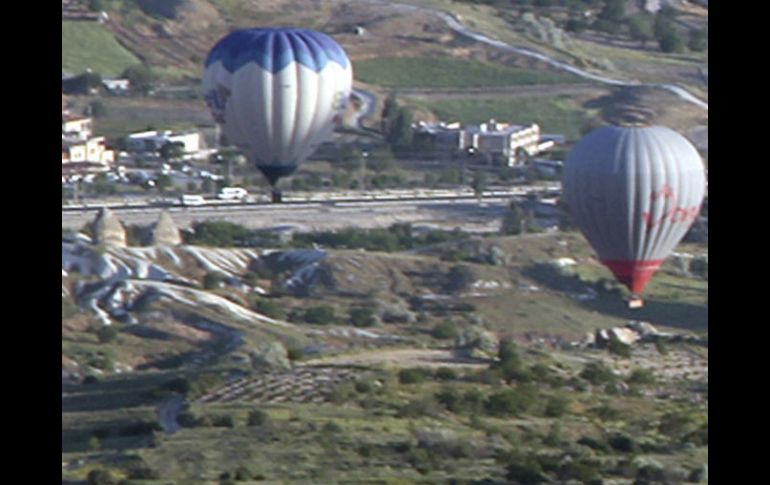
(396, 72)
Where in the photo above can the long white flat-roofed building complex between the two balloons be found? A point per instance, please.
(490, 139)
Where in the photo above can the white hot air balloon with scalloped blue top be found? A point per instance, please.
(277, 94)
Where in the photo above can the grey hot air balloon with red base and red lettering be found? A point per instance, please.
(634, 192)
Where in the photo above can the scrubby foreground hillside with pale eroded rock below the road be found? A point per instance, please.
(392, 398)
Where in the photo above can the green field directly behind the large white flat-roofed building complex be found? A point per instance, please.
(560, 114)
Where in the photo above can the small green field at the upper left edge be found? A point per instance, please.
(89, 45)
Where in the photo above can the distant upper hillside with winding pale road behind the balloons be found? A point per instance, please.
(426, 48)
